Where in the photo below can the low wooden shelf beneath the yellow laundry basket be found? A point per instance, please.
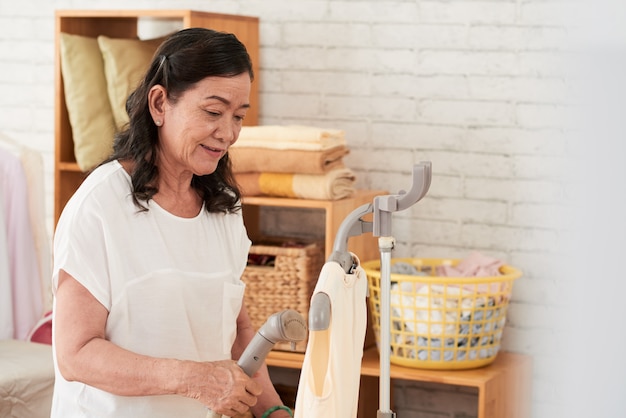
(503, 386)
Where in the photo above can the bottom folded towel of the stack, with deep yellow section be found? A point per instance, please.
(334, 185)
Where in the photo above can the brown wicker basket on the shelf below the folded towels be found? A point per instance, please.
(287, 284)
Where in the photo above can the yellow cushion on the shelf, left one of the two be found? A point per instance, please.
(86, 99)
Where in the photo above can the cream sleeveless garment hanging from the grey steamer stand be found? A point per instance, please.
(330, 377)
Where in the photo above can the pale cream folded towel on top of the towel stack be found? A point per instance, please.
(290, 137)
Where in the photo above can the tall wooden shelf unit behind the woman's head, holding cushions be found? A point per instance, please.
(124, 24)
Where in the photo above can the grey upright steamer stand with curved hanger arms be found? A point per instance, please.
(382, 209)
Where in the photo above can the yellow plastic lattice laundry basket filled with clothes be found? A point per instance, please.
(445, 323)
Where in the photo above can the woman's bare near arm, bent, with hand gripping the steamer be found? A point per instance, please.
(84, 355)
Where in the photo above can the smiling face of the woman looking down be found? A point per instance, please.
(202, 124)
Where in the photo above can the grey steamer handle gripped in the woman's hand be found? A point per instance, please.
(285, 326)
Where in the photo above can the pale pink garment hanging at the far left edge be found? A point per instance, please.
(23, 269)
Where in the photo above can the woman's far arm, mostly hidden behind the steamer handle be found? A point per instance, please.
(269, 397)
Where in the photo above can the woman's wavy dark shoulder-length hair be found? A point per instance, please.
(183, 59)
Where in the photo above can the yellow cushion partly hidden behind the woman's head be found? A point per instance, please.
(125, 62)
